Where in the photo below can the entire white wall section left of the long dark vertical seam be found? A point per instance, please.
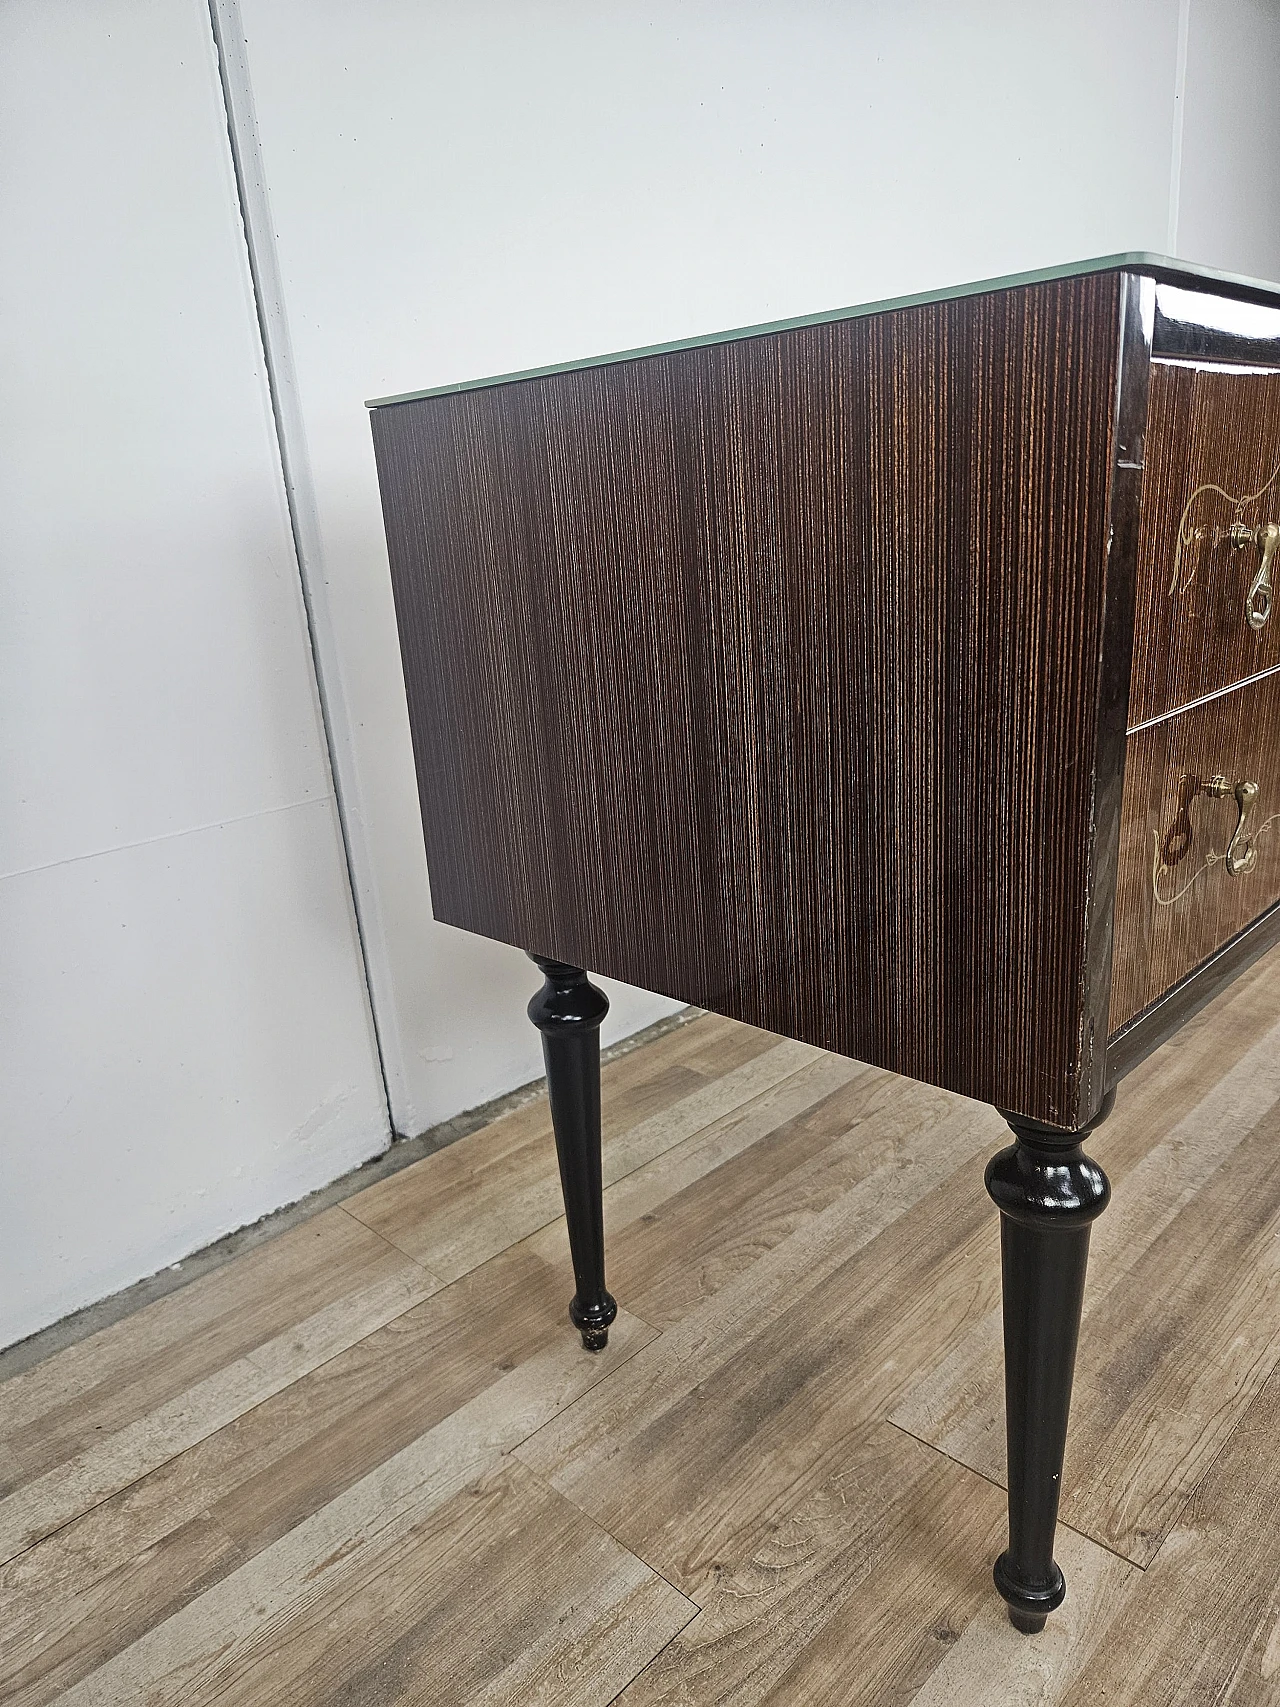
(187, 1040)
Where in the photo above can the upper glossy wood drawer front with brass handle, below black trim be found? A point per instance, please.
(1209, 492)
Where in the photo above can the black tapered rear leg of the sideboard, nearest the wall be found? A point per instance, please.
(569, 1011)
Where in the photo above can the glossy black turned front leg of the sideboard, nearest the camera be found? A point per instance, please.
(1049, 1192)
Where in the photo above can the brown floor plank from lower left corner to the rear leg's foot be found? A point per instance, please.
(90, 1590)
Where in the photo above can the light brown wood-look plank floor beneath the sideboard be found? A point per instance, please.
(369, 1462)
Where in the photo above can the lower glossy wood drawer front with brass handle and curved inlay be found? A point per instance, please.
(1199, 841)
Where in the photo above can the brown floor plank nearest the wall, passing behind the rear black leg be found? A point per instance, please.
(462, 1206)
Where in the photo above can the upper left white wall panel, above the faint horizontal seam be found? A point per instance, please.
(154, 670)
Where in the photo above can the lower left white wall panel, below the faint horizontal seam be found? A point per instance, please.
(189, 1047)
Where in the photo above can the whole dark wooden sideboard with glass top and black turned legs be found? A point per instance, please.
(902, 680)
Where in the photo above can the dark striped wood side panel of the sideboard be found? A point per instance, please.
(767, 675)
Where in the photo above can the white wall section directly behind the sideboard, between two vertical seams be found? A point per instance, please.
(462, 190)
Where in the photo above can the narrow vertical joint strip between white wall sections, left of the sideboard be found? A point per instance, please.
(289, 434)
